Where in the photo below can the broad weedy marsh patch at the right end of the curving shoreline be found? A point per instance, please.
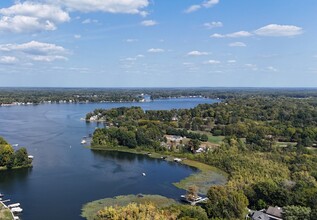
(207, 176)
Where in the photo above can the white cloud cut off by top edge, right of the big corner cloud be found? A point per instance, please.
(109, 6)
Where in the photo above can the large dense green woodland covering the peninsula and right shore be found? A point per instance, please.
(268, 150)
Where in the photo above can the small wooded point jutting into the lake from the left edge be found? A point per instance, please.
(12, 159)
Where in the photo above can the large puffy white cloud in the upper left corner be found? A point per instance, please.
(30, 17)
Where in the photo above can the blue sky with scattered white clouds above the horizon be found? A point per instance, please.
(158, 43)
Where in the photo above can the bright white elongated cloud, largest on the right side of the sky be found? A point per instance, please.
(275, 30)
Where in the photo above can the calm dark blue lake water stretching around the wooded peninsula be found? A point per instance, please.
(65, 175)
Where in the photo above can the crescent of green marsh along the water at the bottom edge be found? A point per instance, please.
(89, 210)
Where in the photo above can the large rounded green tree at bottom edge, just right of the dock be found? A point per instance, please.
(227, 203)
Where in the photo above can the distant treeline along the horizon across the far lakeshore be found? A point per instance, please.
(79, 95)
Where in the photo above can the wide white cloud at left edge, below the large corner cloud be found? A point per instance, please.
(36, 51)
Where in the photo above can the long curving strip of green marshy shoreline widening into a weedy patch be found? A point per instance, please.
(205, 177)
